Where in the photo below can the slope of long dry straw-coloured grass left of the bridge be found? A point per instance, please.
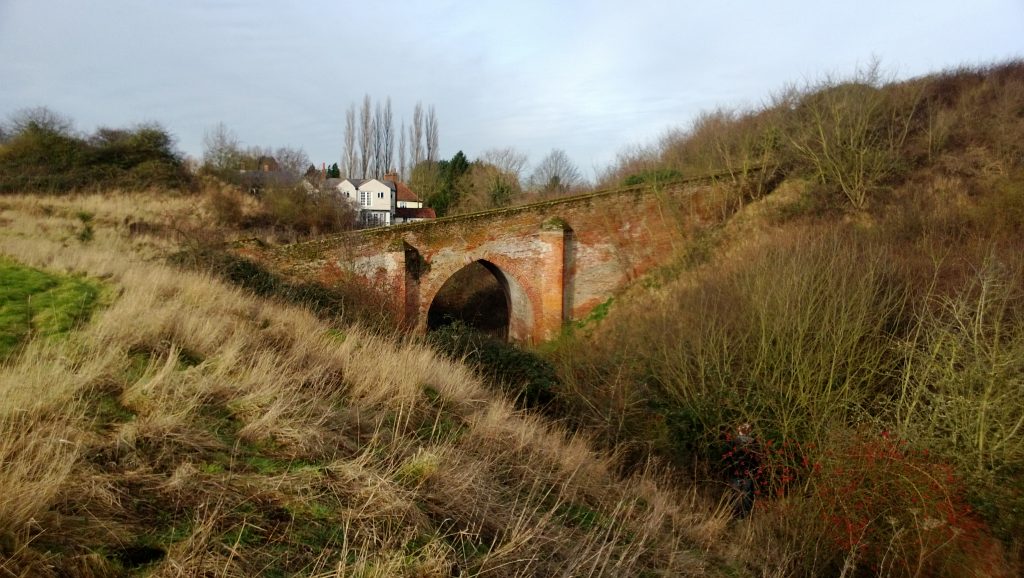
(191, 429)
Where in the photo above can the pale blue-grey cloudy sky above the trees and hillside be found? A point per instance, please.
(589, 77)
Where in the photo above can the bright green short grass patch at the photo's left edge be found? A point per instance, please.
(35, 304)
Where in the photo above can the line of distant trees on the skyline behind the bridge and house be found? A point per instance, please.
(40, 151)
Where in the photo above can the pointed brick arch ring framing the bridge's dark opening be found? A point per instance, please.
(524, 297)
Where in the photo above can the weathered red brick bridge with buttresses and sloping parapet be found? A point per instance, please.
(557, 261)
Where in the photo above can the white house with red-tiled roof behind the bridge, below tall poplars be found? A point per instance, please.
(381, 201)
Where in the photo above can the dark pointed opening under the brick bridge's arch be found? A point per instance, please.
(485, 298)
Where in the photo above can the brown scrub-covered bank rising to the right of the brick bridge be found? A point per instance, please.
(837, 329)
